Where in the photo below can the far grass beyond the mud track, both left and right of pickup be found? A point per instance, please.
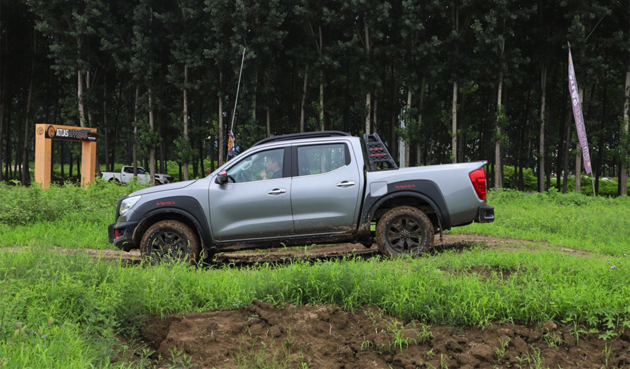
(68, 217)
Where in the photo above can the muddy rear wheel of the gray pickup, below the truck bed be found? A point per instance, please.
(404, 230)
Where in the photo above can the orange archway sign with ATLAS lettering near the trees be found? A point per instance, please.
(44, 133)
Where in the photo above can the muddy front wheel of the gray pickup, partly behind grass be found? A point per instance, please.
(169, 240)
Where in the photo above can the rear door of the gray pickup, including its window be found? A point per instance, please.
(325, 188)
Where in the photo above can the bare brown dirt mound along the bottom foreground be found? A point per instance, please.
(263, 335)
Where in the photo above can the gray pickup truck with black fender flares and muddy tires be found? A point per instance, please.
(300, 189)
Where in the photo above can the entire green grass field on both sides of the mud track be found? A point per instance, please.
(60, 310)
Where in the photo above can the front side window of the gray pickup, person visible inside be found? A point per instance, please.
(260, 166)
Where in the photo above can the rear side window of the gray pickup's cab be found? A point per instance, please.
(320, 159)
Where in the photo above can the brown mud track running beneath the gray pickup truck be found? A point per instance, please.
(328, 252)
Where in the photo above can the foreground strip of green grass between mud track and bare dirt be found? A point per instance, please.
(90, 301)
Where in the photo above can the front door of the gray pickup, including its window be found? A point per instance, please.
(256, 201)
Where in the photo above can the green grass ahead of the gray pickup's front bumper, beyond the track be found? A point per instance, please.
(65, 216)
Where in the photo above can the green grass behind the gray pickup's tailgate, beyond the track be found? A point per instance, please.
(598, 224)
